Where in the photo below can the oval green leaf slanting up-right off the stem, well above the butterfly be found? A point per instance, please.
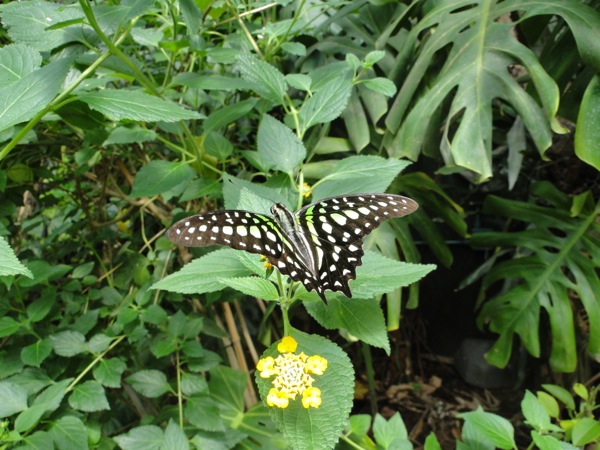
(326, 104)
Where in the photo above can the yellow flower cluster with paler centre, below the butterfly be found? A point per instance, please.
(292, 375)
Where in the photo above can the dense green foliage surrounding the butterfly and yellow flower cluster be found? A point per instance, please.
(119, 118)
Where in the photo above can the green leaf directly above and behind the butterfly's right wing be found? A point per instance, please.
(357, 175)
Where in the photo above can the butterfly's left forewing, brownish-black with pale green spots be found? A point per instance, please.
(241, 230)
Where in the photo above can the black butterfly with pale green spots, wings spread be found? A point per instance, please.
(319, 246)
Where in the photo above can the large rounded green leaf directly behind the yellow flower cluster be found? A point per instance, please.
(315, 428)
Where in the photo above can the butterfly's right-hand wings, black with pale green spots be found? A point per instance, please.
(337, 226)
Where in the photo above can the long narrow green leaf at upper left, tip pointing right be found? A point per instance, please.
(119, 104)
